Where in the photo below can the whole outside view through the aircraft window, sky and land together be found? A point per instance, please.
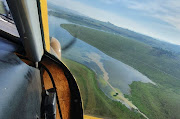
(125, 55)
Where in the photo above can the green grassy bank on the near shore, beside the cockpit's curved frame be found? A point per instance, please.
(95, 102)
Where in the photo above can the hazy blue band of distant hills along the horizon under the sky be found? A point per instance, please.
(78, 18)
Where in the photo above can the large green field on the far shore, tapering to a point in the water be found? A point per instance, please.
(161, 66)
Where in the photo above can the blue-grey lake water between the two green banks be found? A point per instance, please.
(118, 74)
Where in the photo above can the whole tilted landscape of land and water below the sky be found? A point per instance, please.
(121, 74)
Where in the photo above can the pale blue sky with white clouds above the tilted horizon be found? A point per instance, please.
(156, 18)
